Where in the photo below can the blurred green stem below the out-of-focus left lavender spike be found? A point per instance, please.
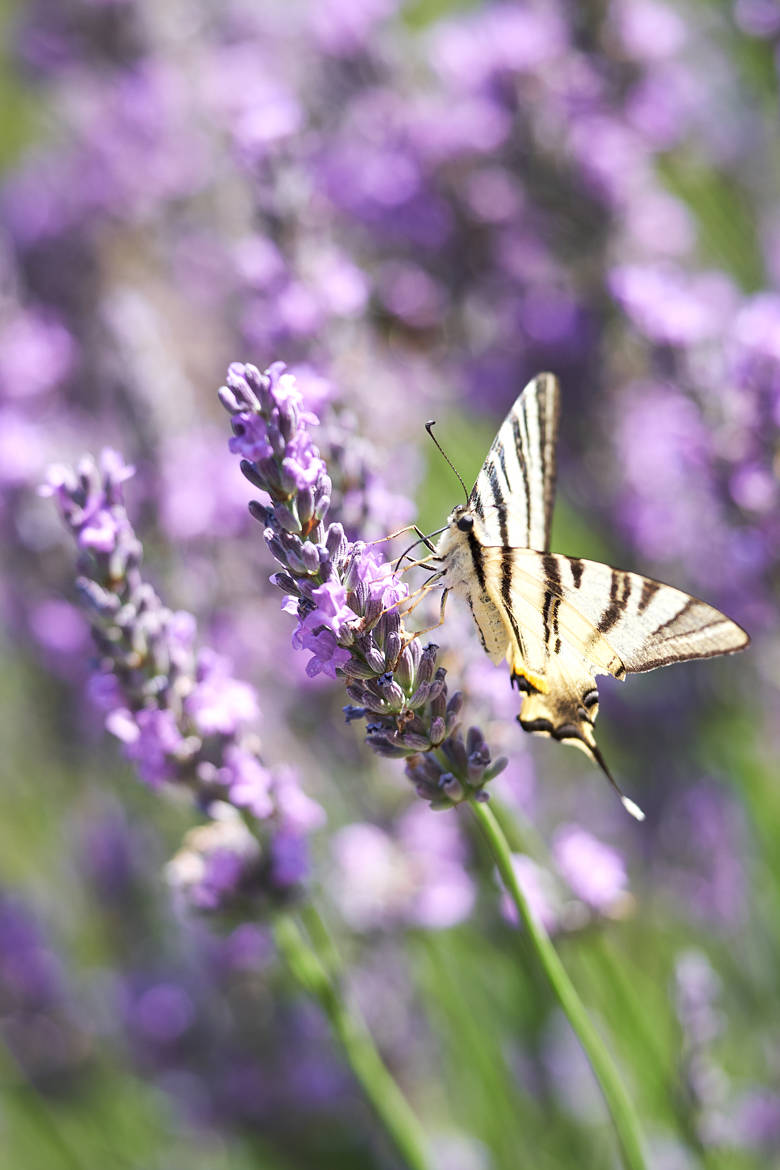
(350, 1028)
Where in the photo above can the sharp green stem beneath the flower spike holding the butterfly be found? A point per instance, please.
(606, 1073)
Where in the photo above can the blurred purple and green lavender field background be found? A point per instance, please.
(417, 207)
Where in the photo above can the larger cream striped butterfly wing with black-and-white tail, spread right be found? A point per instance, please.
(570, 620)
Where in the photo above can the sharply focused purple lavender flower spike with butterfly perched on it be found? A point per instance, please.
(346, 597)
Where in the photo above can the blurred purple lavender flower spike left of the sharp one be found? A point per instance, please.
(181, 715)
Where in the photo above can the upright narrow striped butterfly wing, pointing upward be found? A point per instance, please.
(515, 492)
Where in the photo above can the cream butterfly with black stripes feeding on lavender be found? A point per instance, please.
(560, 622)
